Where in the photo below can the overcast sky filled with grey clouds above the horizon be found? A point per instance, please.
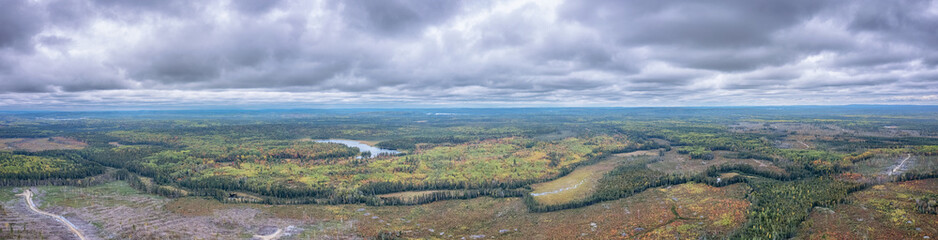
(178, 54)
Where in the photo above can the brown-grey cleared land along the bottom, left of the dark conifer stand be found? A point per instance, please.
(116, 211)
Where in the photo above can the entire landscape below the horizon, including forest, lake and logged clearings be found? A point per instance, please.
(849, 172)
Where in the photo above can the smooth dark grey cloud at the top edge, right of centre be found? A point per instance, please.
(711, 24)
